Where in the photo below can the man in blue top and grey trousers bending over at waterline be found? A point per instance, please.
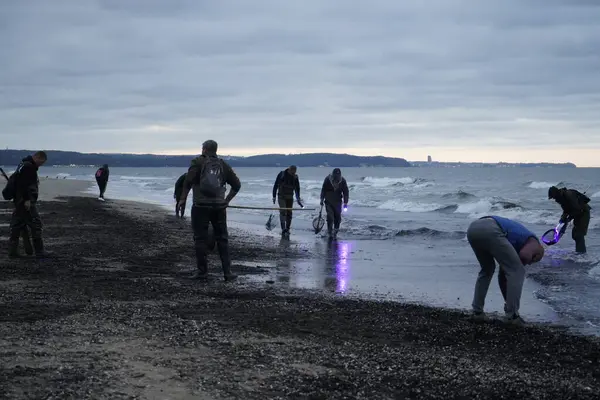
(492, 239)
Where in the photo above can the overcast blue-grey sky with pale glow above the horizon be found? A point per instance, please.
(480, 80)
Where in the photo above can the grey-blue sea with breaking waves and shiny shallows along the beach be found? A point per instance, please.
(404, 233)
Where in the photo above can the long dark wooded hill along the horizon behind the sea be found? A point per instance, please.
(65, 158)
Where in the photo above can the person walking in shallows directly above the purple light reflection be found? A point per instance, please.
(334, 195)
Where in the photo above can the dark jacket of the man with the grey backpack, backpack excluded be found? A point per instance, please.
(193, 179)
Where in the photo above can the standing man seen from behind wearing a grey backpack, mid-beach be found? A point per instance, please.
(208, 176)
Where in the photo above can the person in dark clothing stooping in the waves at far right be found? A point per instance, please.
(576, 208)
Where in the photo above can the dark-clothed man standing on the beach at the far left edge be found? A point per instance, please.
(25, 214)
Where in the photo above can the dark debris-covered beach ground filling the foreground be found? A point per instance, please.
(115, 316)
